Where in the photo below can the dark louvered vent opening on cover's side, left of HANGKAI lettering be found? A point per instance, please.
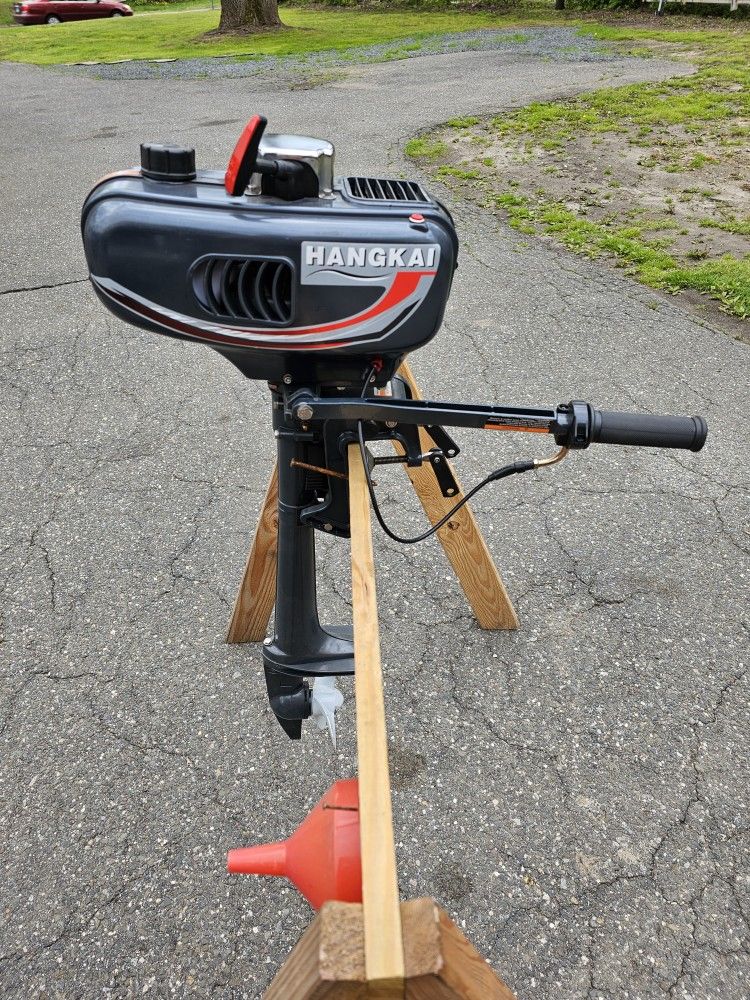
(255, 288)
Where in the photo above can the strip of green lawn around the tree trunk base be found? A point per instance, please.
(180, 35)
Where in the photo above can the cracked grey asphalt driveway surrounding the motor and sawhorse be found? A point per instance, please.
(576, 793)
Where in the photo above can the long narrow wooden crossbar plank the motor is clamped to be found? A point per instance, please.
(384, 955)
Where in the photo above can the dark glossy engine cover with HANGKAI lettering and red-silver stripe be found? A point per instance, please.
(316, 289)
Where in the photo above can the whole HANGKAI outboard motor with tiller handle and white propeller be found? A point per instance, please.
(319, 286)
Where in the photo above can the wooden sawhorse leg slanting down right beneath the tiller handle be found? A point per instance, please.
(462, 540)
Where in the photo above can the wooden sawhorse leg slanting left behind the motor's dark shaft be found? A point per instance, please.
(257, 593)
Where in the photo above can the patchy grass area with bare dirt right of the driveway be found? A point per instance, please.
(655, 177)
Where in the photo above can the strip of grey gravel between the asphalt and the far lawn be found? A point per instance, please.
(557, 44)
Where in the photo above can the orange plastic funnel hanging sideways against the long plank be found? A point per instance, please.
(321, 857)
